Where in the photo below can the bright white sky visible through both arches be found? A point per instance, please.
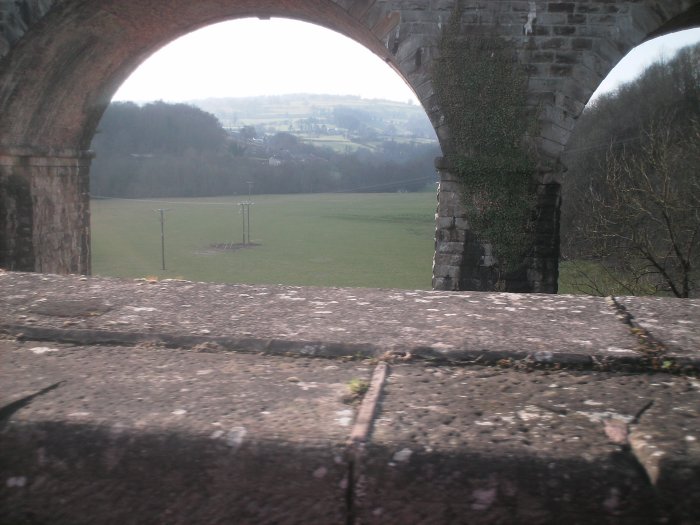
(246, 58)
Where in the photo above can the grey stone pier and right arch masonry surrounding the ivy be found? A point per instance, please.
(568, 48)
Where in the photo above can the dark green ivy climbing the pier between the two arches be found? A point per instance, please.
(481, 91)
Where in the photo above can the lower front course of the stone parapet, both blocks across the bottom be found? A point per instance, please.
(144, 434)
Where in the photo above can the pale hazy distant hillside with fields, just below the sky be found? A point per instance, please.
(326, 120)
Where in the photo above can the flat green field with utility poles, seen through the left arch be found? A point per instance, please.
(373, 240)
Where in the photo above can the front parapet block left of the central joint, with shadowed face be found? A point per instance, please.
(154, 435)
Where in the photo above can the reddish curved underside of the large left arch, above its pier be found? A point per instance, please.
(68, 65)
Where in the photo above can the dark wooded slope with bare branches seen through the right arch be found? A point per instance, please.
(631, 196)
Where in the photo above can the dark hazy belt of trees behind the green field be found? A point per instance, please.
(178, 150)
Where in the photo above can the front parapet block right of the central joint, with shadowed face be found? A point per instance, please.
(488, 445)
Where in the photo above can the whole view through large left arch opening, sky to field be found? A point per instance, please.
(369, 212)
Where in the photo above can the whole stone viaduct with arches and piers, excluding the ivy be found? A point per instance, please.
(63, 60)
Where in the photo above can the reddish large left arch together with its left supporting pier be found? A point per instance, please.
(62, 72)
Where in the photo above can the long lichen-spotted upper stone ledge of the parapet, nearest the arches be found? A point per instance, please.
(332, 322)
